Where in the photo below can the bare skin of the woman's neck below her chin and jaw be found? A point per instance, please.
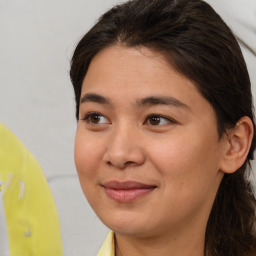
(187, 240)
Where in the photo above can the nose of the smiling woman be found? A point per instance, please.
(124, 149)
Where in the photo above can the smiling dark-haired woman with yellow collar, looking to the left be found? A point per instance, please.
(166, 130)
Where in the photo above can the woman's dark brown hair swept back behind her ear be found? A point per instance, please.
(198, 44)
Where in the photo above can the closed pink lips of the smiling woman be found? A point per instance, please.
(128, 191)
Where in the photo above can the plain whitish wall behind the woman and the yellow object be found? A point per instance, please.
(37, 38)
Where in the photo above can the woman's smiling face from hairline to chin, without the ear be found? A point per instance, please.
(147, 149)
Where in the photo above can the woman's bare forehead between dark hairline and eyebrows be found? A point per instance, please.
(136, 71)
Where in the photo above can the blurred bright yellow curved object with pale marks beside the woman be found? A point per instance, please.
(31, 215)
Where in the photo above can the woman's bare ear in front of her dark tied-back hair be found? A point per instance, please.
(238, 143)
